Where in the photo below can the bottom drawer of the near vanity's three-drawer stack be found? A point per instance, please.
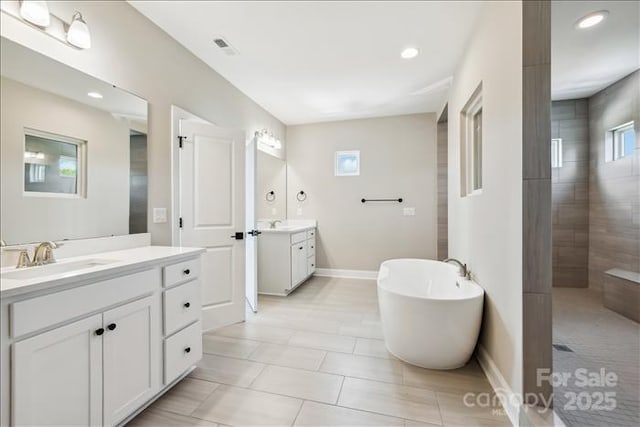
(182, 351)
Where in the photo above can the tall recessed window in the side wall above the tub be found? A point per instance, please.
(471, 119)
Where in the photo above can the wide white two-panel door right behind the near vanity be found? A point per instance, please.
(212, 215)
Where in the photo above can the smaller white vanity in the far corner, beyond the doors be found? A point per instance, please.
(286, 256)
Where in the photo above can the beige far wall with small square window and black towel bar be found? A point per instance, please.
(398, 159)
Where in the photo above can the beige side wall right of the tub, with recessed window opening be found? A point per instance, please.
(485, 230)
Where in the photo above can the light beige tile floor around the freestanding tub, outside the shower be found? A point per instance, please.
(316, 358)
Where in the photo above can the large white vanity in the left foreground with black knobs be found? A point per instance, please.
(92, 340)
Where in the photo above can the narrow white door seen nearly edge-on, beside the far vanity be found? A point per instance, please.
(252, 236)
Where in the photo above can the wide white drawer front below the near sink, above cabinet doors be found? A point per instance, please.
(41, 312)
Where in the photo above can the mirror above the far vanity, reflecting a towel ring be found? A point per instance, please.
(271, 175)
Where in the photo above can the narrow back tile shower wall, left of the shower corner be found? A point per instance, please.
(570, 195)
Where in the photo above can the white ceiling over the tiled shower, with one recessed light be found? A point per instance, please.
(584, 62)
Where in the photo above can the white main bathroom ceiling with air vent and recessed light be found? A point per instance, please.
(326, 60)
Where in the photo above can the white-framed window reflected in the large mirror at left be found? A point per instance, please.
(53, 165)
